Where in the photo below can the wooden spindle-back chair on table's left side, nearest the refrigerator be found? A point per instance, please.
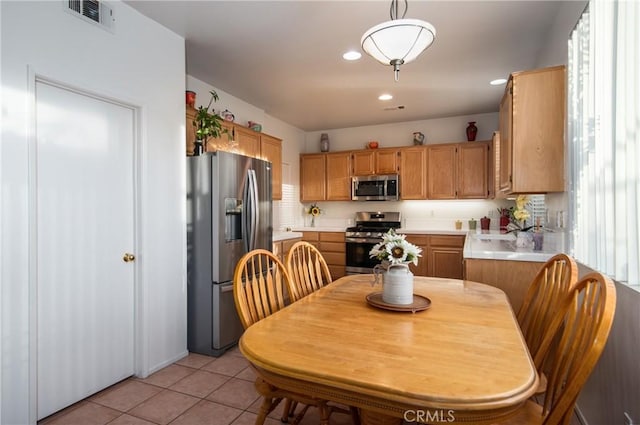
(259, 284)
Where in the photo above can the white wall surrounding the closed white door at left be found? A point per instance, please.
(141, 63)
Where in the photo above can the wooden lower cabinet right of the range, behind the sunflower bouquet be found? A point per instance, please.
(441, 255)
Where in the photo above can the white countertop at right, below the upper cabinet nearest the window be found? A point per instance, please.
(502, 246)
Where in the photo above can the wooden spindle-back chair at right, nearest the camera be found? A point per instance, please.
(582, 332)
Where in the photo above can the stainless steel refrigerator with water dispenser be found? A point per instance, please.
(228, 214)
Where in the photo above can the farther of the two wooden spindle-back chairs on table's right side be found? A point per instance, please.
(545, 296)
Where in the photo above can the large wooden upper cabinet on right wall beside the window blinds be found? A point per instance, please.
(532, 117)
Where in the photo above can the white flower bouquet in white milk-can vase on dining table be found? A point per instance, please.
(395, 254)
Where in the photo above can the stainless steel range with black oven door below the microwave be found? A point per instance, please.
(368, 231)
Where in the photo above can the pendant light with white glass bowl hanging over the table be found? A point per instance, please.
(399, 40)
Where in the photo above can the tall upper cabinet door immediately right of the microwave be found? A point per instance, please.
(413, 173)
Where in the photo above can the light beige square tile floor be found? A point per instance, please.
(196, 390)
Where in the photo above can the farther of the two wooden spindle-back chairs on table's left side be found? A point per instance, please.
(307, 268)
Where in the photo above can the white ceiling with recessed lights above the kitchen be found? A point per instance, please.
(285, 57)
